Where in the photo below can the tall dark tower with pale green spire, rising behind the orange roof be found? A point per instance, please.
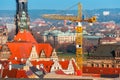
(22, 20)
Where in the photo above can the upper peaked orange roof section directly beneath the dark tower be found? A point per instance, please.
(25, 36)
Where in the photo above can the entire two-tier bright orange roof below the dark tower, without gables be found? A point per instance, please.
(22, 46)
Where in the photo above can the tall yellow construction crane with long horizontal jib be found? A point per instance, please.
(79, 30)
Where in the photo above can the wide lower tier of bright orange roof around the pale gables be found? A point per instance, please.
(23, 49)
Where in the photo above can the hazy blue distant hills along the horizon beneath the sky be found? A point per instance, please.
(113, 16)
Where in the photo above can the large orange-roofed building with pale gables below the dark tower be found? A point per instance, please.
(24, 46)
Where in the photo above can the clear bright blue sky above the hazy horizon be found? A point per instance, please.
(61, 4)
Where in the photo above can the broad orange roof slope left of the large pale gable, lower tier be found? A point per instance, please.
(20, 49)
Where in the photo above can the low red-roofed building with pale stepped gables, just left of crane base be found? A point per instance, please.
(67, 67)
